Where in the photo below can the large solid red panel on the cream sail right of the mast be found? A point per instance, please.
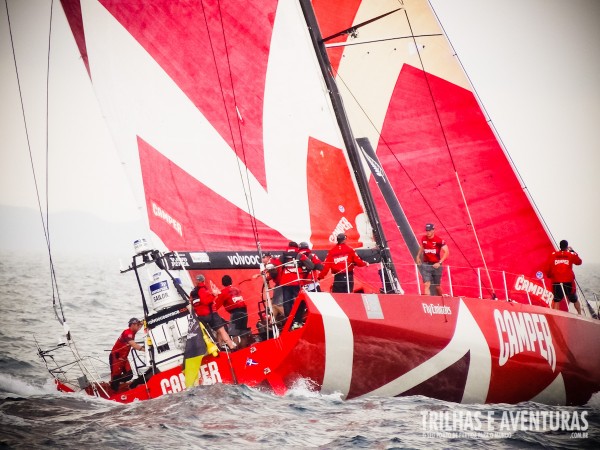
(421, 162)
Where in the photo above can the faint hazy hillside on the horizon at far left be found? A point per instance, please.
(70, 232)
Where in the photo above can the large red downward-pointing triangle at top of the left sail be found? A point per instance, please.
(205, 48)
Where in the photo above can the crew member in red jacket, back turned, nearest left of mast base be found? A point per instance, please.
(341, 260)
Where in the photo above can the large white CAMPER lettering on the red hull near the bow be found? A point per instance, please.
(522, 331)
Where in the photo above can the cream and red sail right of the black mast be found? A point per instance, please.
(405, 92)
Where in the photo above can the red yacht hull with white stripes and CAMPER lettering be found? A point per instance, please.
(454, 349)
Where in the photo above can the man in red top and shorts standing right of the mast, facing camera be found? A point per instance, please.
(432, 253)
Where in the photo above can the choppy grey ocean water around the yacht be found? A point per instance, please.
(98, 301)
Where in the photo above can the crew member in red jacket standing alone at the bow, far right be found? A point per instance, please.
(559, 268)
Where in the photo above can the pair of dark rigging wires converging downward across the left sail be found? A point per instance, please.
(245, 182)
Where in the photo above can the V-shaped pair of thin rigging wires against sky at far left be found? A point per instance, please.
(57, 305)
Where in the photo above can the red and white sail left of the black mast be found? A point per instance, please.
(226, 147)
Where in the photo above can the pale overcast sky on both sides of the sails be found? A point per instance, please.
(535, 65)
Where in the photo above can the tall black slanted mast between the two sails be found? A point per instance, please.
(347, 135)
